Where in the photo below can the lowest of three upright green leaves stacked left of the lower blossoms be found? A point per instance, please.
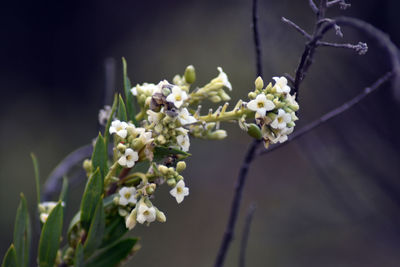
(96, 230)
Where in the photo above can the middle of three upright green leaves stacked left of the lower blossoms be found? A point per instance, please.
(91, 196)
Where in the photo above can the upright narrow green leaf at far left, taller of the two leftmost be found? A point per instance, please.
(22, 233)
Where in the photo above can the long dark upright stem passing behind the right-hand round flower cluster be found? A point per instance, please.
(235, 206)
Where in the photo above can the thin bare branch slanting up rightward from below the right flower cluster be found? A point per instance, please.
(331, 114)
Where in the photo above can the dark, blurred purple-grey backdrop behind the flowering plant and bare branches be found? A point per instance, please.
(331, 198)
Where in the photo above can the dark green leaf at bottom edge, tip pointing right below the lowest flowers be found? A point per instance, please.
(113, 255)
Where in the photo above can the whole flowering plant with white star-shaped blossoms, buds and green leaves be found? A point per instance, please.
(148, 150)
